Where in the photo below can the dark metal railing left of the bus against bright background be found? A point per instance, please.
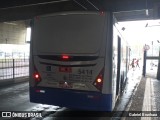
(12, 68)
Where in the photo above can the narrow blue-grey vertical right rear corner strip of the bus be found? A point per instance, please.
(108, 81)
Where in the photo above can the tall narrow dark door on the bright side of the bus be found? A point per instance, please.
(118, 65)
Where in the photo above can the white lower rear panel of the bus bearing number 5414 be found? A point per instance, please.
(78, 75)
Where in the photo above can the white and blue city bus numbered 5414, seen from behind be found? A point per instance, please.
(78, 60)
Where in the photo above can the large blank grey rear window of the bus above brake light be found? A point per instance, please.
(81, 33)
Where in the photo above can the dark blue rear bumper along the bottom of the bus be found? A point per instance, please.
(72, 99)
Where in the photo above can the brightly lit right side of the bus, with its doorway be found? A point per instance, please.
(120, 60)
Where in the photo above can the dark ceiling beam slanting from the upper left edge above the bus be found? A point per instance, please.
(28, 12)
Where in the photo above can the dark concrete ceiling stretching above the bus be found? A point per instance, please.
(124, 9)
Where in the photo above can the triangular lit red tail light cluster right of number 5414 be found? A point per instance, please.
(98, 83)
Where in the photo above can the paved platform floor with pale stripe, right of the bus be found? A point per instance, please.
(145, 101)
